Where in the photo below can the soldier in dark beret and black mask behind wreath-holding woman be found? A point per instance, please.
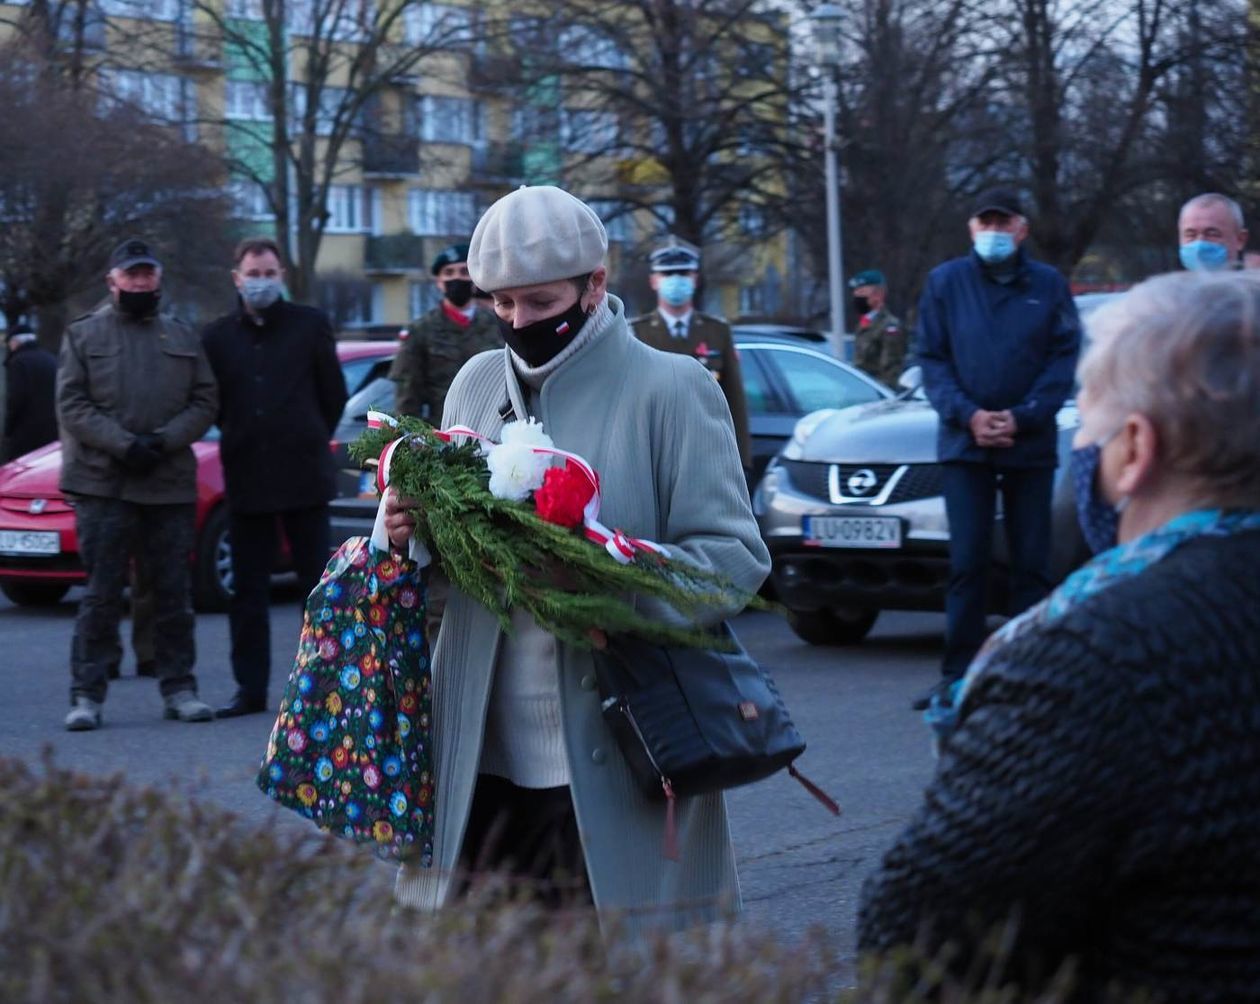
(443, 341)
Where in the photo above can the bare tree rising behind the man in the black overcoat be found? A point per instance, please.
(332, 86)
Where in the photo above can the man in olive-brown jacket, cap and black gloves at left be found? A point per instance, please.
(134, 394)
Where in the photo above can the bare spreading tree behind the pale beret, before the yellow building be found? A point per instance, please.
(672, 108)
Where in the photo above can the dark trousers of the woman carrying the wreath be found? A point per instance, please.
(529, 836)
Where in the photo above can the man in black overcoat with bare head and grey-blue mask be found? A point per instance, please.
(282, 395)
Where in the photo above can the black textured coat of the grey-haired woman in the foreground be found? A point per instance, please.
(1104, 782)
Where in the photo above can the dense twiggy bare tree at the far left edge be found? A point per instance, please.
(83, 168)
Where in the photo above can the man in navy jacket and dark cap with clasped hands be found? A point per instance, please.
(999, 338)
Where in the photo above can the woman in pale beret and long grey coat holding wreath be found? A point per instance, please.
(530, 782)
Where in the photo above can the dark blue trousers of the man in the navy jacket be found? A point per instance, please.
(971, 496)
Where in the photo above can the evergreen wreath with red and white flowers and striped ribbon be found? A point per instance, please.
(502, 554)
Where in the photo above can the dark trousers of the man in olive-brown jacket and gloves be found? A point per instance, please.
(162, 537)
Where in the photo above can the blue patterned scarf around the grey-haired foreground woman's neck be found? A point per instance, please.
(1103, 571)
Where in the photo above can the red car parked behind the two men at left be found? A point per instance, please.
(40, 557)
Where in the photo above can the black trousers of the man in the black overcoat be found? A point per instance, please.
(255, 542)
